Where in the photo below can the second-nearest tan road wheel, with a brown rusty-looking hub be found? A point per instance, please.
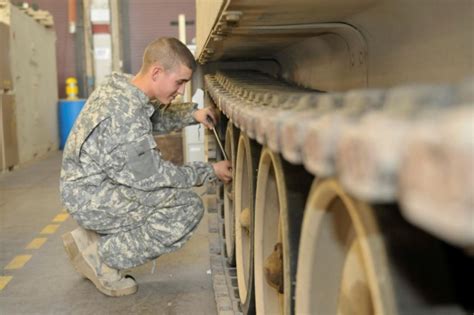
(279, 205)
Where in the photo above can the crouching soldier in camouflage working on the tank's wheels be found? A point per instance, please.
(130, 204)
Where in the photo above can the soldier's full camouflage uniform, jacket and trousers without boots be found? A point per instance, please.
(113, 180)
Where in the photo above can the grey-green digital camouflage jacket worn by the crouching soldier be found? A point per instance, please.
(111, 155)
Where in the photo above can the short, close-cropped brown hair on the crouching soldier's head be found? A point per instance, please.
(169, 52)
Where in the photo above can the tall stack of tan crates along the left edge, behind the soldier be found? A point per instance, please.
(28, 85)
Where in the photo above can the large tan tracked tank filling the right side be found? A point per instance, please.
(350, 127)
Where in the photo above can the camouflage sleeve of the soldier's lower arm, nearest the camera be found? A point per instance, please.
(139, 165)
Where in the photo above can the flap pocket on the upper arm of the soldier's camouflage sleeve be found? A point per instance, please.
(140, 158)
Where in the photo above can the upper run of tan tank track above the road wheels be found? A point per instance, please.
(378, 142)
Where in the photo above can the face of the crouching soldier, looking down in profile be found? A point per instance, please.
(167, 84)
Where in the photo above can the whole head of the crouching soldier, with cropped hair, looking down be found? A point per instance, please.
(167, 66)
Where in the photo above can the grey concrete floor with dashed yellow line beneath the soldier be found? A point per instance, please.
(47, 283)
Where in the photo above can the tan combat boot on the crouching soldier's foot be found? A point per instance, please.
(107, 280)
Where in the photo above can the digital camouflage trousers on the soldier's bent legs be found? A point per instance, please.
(161, 225)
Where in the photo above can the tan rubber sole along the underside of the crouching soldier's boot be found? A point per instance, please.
(86, 270)
